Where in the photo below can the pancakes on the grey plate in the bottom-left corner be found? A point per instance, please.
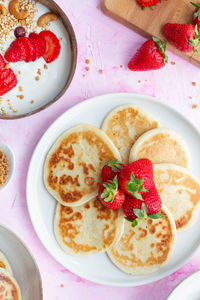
(9, 288)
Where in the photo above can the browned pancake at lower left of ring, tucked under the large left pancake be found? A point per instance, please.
(87, 229)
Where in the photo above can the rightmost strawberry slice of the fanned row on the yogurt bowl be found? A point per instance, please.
(52, 46)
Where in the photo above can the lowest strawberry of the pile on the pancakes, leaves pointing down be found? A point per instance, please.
(136, 210)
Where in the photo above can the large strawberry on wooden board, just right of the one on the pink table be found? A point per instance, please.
(184, 37)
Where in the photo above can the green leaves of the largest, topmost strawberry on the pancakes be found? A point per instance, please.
(135, 186)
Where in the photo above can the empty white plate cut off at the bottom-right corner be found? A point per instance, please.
(187, 289)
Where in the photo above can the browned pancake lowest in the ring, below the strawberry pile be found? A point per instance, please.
(145, 248)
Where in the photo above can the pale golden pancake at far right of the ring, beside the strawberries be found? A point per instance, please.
(179, 191)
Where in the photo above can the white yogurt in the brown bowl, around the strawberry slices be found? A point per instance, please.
(52, 80)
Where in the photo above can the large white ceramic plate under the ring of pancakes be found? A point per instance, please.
(41, 205)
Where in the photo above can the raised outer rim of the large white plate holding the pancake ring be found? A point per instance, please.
(52, 251)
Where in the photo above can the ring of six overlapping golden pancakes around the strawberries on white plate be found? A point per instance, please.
(72, 175)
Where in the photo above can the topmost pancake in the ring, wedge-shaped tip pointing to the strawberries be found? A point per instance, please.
(125, 124)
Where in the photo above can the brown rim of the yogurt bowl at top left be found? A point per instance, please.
(53, 6)
